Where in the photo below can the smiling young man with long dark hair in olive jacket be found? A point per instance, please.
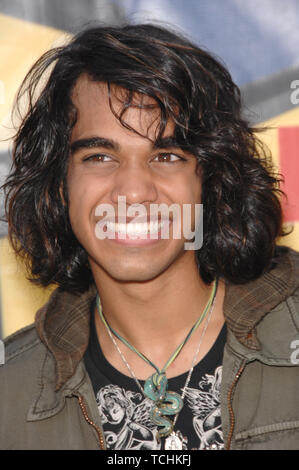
(146, 343)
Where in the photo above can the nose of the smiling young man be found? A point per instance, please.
(136, 183)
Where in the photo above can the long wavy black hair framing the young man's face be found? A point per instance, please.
(240, 190)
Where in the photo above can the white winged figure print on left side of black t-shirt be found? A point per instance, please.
(126, 419)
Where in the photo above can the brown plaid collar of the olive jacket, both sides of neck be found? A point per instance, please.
(63, 323)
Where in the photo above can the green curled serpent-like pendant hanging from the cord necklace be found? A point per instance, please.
(165, 403)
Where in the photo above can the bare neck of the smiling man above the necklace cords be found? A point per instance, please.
(146, 313)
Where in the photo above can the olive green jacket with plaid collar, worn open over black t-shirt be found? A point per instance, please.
(47, 400)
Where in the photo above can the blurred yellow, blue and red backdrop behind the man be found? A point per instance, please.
(258, 40)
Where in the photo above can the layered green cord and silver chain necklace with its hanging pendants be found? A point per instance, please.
(166, 402)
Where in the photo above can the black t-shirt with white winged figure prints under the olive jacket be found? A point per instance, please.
(125, 411)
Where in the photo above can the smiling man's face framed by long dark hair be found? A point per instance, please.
(108, 161)
